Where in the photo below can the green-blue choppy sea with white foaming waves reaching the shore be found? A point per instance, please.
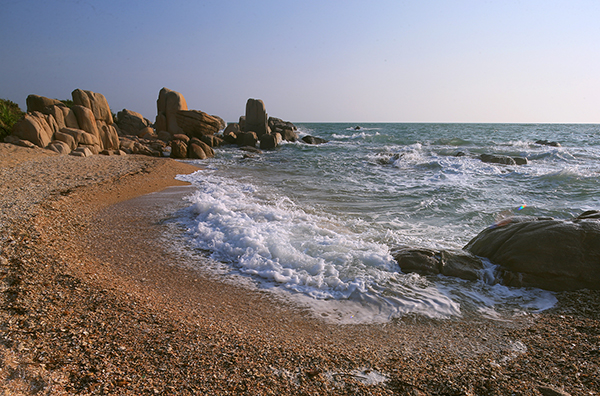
(317, 224)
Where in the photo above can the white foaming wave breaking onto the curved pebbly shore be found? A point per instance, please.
(338, 266)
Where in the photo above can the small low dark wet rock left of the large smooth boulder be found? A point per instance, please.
(456, 263)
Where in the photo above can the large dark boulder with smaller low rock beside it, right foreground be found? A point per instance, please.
(546, 253)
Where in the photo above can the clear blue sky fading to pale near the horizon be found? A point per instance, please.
(314, 61)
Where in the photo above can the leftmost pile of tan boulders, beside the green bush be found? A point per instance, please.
(48, 121)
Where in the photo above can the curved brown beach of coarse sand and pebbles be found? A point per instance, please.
(94, 301)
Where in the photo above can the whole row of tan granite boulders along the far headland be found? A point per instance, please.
(89, 127)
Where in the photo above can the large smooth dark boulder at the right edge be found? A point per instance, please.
(550, 254)
